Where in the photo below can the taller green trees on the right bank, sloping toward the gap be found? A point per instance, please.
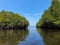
(51, 17)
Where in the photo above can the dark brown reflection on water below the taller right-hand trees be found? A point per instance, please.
(50, 37)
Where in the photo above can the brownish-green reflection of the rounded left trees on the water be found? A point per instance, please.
(12, 37)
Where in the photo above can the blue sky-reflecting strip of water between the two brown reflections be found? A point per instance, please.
(33, 37)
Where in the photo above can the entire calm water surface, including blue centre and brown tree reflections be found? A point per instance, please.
(30, 36)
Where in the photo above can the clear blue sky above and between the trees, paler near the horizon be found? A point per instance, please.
(32, 10)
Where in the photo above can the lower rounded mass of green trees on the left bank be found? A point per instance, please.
(12, 20)
